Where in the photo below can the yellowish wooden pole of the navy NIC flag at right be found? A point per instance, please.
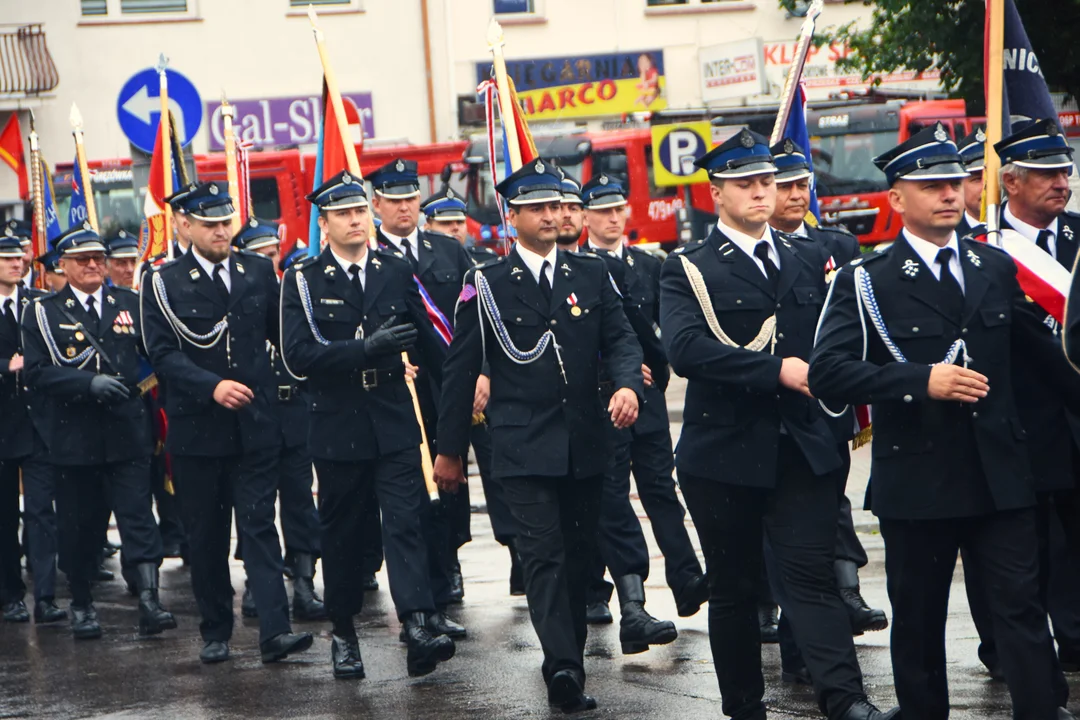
(995, 130)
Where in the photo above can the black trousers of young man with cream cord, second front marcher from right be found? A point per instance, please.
(800, 519)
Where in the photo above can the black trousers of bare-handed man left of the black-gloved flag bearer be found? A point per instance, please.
(209, 491)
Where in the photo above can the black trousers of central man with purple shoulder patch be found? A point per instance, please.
(557, 521)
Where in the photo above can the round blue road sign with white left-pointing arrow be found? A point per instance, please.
(139, 108)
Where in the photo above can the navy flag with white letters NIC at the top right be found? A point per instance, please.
(1027, 92)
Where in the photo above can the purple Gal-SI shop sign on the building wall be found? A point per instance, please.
(272, 121)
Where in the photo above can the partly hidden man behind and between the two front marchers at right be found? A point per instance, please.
(793, 203)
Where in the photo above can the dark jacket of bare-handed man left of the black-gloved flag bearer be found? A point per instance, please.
(198, 426)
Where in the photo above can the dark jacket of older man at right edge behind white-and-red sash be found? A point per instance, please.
(1054, 429)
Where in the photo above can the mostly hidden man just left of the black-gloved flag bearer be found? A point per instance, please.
(300, 520)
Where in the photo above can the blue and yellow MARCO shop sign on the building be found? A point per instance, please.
(588, 86)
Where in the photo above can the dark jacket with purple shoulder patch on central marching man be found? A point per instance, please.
(542, 425)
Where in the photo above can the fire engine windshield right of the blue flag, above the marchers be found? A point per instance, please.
(844, 165)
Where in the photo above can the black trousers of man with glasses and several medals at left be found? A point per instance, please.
(82, 492)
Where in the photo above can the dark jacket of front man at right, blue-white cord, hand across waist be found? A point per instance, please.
(933, 459)
